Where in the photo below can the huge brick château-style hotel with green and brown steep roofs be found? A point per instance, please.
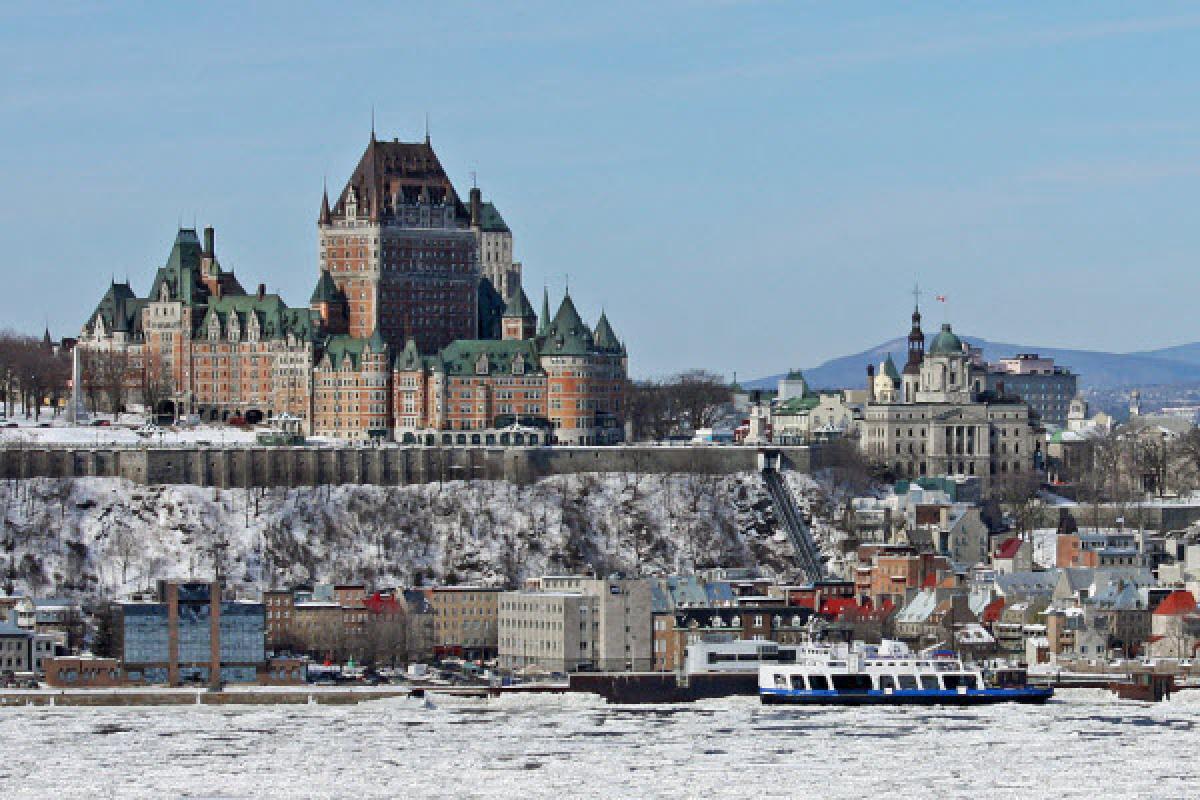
(418, 329)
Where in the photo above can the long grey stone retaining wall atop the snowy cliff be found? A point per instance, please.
(385, 466)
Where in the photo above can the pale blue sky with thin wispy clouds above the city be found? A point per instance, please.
(742, 187)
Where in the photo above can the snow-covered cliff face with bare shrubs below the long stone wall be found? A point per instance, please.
(104, 537)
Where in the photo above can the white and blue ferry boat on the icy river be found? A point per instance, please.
(889, 675)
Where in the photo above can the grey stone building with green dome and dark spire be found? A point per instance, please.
(937, 418)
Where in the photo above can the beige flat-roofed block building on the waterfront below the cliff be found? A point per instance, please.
(571, 623)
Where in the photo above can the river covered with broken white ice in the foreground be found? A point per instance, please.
(1084, 745)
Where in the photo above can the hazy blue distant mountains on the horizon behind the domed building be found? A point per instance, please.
(1096, 370)
